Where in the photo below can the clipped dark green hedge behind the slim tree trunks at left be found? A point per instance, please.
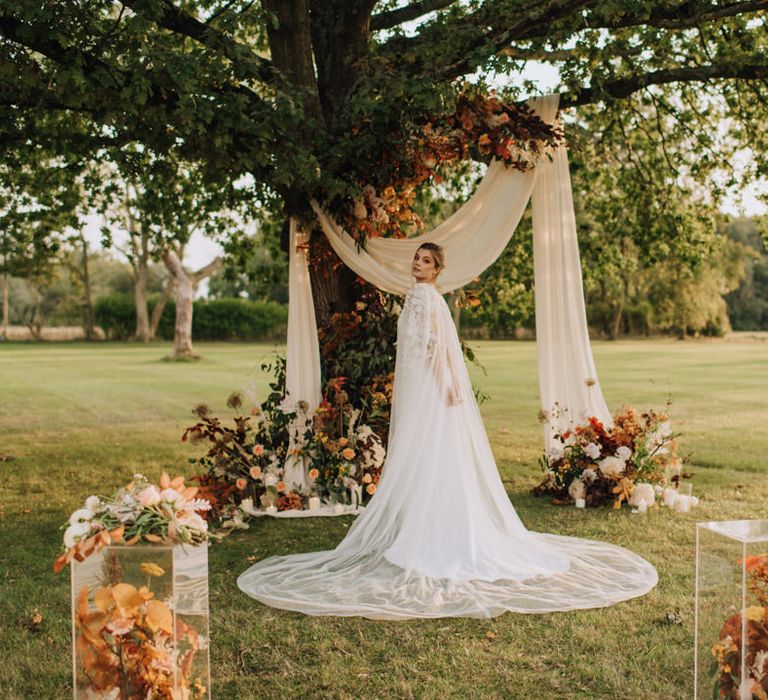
(212, 319)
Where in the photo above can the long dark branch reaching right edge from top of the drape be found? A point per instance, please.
(624, 87)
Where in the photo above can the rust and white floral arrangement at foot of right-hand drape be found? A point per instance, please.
(623, 463)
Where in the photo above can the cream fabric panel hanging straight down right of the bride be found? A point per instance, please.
(567, 374)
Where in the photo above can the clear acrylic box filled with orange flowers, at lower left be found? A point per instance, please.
(140, 623)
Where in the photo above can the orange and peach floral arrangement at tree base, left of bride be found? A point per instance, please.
(246, 459)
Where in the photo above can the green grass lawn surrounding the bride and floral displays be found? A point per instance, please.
(79, 419)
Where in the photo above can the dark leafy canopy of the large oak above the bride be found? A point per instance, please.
(317, 98)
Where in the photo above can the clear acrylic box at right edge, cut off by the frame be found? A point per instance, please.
(731, 587)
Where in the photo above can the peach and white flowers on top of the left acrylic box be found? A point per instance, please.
(141, 511)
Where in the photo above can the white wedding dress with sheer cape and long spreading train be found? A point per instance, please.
(440, 537)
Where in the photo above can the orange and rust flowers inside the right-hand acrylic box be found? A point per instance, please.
(728, 653)
